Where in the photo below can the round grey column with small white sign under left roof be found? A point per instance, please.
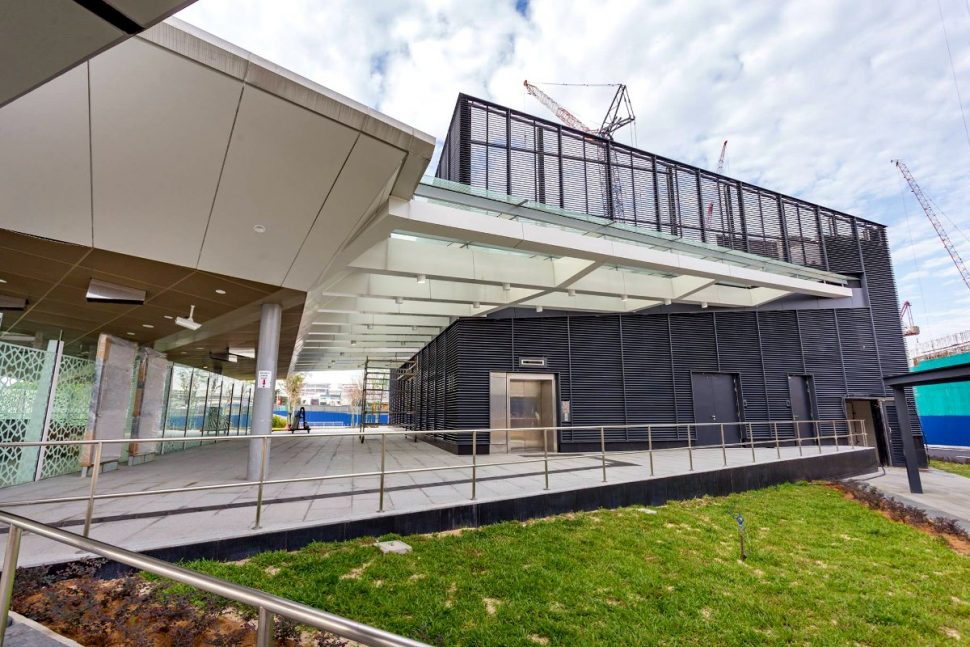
(266, 358)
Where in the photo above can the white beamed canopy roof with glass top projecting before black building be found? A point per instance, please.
(454, 252)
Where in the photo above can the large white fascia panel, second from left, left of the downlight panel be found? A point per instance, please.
(160, 125)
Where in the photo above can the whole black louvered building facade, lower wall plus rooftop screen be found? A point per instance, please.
(637, 368)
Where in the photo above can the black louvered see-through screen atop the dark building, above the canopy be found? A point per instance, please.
(496, 148)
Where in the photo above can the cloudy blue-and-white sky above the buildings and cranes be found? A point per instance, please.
(815, 96)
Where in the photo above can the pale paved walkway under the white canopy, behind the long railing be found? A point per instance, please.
(157, 520)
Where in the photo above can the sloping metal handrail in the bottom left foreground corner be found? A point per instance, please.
(269, 606)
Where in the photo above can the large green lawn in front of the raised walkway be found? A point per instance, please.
(823, 570)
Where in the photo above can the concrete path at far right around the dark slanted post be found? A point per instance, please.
(944, 494)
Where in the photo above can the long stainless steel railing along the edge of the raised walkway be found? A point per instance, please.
(853, 436)
